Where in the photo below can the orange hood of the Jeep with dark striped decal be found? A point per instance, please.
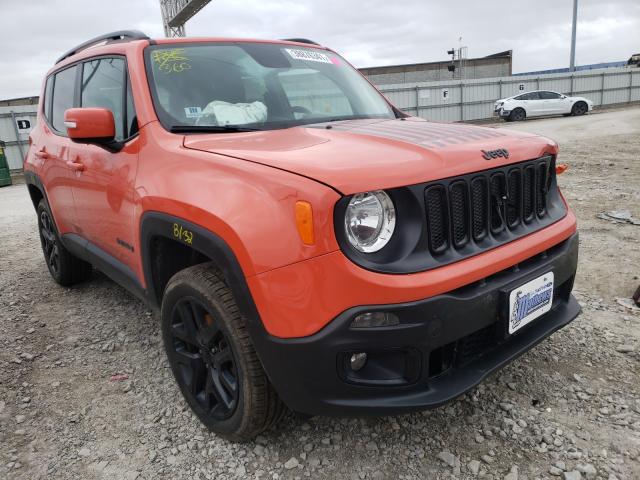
(360, 155)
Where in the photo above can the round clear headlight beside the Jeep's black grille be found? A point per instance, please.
(369, 221)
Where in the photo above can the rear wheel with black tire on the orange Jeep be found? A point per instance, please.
(65, 268)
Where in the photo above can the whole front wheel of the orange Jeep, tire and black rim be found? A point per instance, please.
(212, 357)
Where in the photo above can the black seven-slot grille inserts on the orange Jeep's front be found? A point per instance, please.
(489, 203)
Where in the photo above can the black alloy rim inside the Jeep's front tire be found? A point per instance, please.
(205, 359)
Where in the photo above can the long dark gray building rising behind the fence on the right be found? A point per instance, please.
(496, 65)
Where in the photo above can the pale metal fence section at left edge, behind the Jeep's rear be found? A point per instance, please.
(17, 118)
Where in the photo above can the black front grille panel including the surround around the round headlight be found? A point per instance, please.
(447, 220)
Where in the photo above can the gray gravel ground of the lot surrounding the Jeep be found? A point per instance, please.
(568, 409)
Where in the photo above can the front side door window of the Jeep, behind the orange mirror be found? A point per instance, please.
(103, 86)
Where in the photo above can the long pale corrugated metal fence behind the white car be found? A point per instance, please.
(458, 100)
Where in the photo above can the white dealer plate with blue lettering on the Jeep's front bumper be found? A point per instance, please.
(529, 301)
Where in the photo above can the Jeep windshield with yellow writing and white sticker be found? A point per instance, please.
(219, 86)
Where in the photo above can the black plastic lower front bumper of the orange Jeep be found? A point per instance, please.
(443, 346)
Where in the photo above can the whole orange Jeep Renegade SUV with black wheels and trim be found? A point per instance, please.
(306, 243)
